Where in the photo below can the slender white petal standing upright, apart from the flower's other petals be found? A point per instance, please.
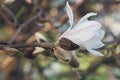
(70, 14)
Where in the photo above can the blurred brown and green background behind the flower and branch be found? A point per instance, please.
(50, 19)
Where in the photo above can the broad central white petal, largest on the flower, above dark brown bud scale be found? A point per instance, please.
(84, 32)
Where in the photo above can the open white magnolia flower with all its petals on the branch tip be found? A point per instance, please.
(85, 33)
